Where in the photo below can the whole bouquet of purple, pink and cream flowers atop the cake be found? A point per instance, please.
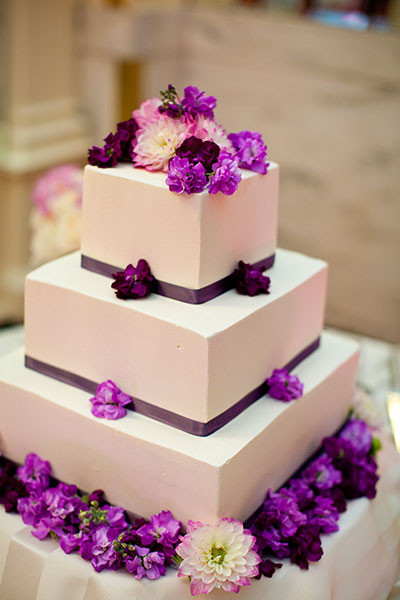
(179, 135)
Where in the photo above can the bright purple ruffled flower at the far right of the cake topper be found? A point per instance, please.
(250, 150)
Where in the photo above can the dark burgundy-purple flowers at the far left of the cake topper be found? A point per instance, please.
(117, 146)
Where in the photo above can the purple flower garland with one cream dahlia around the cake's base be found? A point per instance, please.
(224, 555)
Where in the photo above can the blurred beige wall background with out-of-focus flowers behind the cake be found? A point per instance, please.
(320, 79)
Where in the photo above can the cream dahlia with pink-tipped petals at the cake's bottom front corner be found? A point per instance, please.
(217, 556)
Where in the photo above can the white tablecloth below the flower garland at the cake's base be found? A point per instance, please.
(360, 561)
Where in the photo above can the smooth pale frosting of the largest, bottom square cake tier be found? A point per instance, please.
(146, 466)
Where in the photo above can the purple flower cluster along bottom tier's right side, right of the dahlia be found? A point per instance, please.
(292, 520)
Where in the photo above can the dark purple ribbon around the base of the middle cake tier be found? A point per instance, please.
(162, 414)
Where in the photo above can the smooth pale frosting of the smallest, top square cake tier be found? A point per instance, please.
(190, 241)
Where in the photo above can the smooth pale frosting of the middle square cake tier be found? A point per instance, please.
(195, 361)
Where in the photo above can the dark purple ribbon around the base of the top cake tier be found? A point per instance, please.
(177, 292)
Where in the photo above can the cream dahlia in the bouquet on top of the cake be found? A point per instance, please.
(157, 142)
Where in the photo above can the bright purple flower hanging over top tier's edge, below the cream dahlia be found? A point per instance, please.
(184, 176)
